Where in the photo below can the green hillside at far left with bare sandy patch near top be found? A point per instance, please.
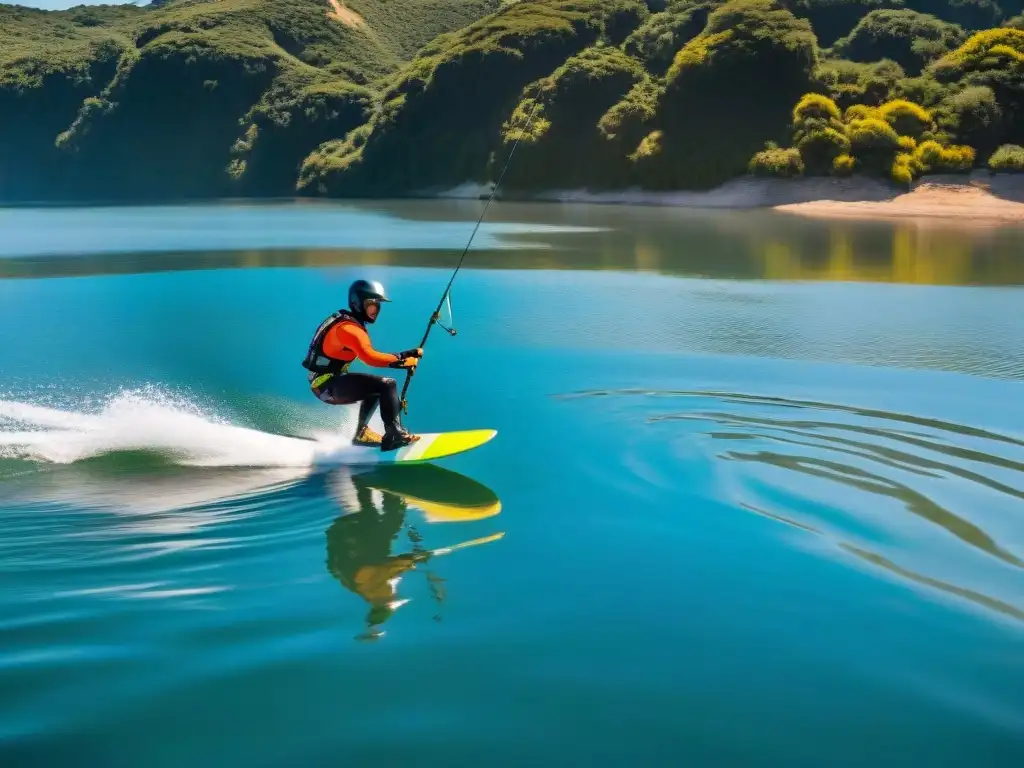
(194, 99)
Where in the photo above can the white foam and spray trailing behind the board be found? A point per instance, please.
(151, 421)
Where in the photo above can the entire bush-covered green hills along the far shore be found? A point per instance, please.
(375, 98)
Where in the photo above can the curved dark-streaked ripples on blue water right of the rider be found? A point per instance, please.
(931, 502)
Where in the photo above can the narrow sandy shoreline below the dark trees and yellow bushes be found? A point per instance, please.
(978, 198)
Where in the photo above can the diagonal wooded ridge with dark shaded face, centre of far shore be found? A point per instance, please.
(440, 122)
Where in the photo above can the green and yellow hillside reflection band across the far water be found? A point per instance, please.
(750, 245)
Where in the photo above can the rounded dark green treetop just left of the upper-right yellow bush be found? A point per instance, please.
(910, 38)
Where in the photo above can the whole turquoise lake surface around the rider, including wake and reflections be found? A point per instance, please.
(756, 497)
